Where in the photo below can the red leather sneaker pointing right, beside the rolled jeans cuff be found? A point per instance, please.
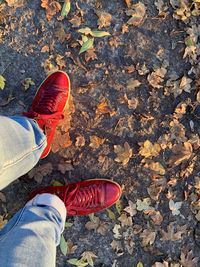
(85, 197)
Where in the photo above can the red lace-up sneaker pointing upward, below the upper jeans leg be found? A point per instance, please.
(49, 103)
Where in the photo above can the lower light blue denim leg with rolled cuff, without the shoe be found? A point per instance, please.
(31, 236)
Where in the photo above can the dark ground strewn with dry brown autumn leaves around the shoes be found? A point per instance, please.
(133, 117)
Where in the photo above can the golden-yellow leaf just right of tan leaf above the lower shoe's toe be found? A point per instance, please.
(149, 150)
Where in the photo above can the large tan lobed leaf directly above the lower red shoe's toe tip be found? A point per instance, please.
(124, 153)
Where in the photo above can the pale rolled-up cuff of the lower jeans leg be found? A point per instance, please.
(50, 200)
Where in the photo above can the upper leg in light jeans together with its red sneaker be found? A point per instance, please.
(23, 141)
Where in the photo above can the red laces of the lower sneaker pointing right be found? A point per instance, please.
(87, 197)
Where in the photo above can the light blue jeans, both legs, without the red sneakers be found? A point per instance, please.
(30, 238)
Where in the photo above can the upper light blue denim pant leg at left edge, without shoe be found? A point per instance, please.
(21, 145)
